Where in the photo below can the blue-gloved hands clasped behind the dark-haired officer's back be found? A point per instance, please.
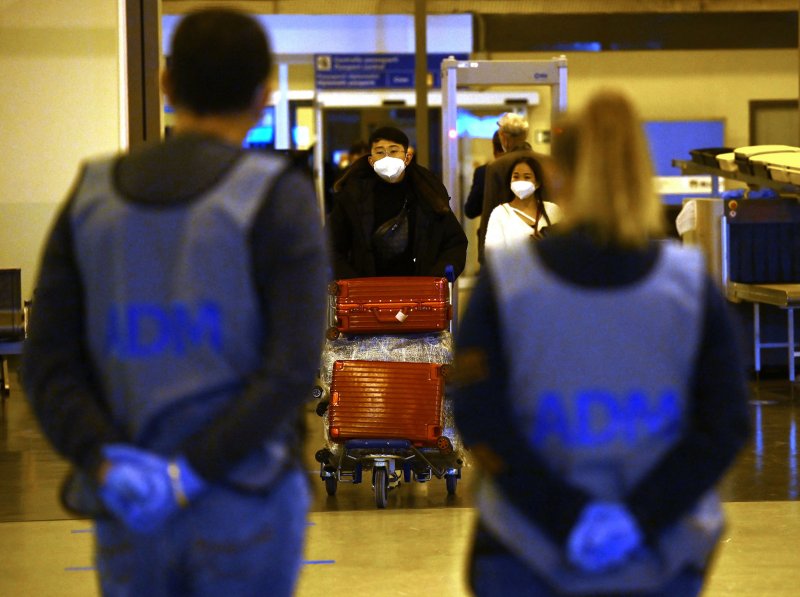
(144, 489)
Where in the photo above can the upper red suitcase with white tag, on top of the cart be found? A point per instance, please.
(390, 305)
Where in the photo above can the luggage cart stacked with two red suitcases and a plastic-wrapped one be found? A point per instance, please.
(383, 377)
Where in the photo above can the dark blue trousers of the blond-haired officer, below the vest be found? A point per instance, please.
(503, 575)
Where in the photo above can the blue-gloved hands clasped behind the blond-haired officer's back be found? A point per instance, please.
(604, 536)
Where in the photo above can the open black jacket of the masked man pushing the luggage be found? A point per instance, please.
(438, 239)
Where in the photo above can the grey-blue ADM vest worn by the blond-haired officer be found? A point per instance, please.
(599, 384)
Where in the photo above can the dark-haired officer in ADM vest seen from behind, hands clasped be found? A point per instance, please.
(179, 317)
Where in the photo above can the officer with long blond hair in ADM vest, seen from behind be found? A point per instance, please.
(600, 383)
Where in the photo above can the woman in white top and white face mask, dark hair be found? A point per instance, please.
(527, 213)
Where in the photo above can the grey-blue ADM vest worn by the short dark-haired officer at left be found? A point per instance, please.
(173, 317)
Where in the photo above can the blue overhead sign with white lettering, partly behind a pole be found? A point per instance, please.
(375, 71)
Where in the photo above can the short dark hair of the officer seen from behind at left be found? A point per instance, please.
(219, 57)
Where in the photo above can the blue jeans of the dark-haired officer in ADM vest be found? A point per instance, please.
(226, 543)
